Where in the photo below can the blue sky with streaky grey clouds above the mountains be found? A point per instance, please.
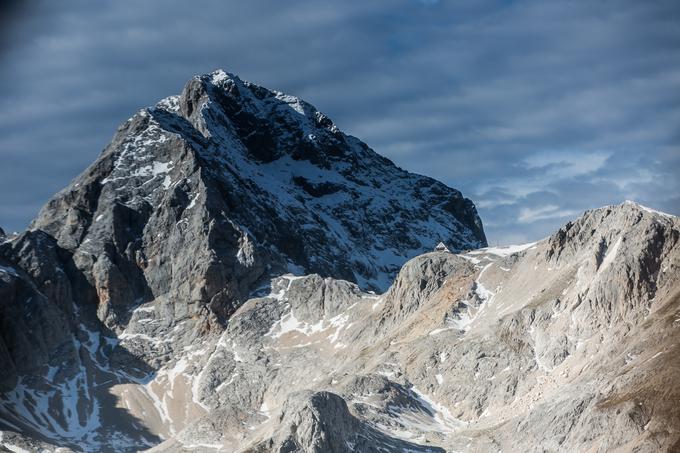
(536, 110)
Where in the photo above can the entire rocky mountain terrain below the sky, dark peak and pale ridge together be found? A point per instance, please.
(235, 274)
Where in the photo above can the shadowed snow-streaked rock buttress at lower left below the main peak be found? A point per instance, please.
(58, 362)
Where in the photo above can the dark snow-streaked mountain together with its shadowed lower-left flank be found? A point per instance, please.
(195, 205)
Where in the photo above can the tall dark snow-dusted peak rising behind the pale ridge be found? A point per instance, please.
(203, 195)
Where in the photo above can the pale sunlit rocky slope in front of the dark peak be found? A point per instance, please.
(570, 341)
